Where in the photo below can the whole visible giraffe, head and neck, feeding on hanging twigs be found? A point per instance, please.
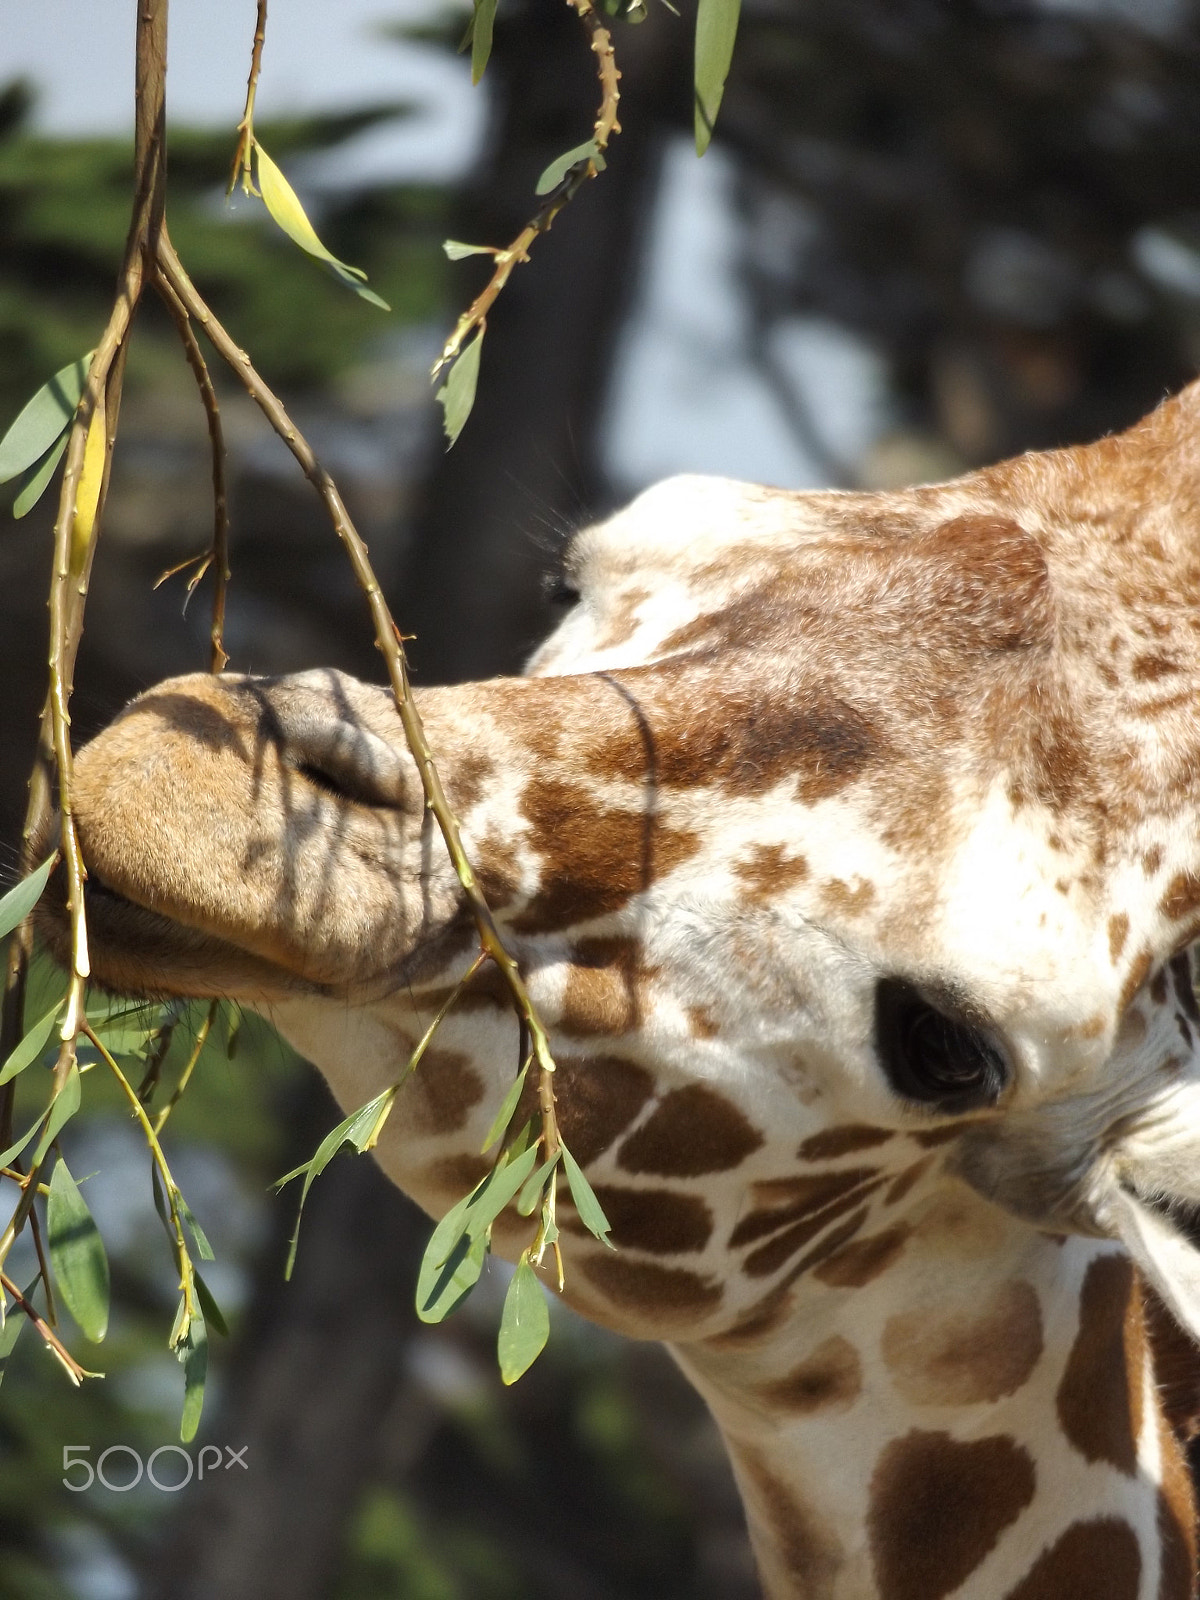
(850, 844)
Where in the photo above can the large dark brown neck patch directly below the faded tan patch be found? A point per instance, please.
(938, 1506)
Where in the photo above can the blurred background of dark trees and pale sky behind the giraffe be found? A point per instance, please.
(929, 234)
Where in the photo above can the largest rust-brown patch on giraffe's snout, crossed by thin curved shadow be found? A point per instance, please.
(593, 857)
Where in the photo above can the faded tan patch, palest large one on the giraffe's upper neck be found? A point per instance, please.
(967, 1356)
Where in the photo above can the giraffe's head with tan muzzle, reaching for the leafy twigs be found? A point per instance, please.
(817, 814)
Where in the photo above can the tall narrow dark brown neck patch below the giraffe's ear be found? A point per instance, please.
(1100, 1399)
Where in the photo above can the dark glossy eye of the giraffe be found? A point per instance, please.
(935, 1057)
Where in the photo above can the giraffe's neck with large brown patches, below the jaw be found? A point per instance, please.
(982, 1422)
